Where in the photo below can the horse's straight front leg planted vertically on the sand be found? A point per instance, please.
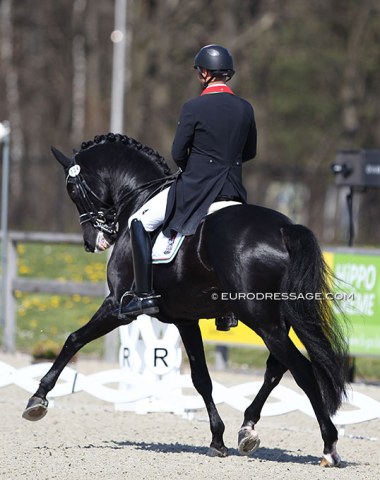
(192, 340)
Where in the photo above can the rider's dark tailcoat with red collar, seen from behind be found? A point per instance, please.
(216, 132)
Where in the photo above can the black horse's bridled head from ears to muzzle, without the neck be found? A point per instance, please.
(97, 215)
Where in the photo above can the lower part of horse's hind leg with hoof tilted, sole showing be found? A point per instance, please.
(248, 439)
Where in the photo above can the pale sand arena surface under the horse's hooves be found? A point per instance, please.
(85, 438)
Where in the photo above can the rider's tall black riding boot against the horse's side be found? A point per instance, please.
(144, 300)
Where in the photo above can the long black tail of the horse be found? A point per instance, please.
(314, 319)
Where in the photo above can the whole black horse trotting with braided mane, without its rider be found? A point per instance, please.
(237, 251)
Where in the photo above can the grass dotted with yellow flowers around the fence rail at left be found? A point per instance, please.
(42, 317)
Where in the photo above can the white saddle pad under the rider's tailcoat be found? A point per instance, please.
(165, 249)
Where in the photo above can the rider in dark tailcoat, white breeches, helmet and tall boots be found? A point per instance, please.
(216, 132)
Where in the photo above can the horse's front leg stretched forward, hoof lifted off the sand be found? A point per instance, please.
(100, 324)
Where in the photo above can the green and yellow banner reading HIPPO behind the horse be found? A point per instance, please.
(358, 292)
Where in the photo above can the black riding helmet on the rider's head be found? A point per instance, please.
(215, 58)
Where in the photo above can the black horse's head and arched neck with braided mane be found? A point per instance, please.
(109, 179)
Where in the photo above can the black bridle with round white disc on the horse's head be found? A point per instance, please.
(102, 218)
